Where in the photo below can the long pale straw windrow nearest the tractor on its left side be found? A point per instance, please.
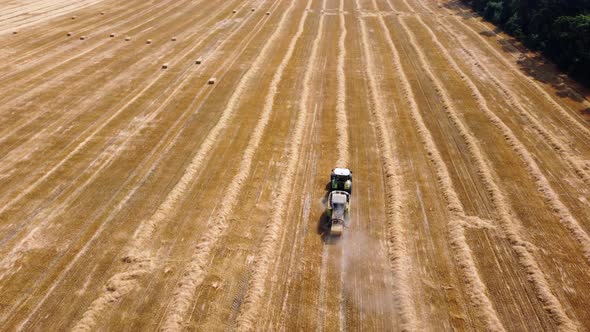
(250, 308)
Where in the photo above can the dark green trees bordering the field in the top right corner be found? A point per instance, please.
(558, 28)
